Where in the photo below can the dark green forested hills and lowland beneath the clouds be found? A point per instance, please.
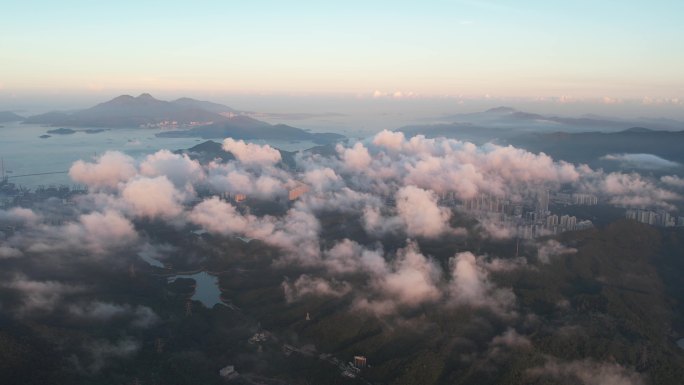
(618, 299)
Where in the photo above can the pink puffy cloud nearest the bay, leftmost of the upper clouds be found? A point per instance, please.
(107, 171)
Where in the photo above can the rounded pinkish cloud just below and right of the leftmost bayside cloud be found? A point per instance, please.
(152, 197)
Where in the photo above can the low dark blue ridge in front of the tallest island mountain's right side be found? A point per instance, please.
(246, 128)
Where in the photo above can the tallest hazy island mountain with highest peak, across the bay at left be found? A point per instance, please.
(129, 111)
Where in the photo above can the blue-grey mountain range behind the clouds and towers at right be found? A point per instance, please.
(578, 140)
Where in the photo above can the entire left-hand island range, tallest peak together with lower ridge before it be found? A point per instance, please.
(195, 118)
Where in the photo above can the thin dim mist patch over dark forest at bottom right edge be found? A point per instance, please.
(587, 372)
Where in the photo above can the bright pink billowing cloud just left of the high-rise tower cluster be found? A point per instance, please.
(419, 210)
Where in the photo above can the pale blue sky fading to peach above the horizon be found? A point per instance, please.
(526, 48)
